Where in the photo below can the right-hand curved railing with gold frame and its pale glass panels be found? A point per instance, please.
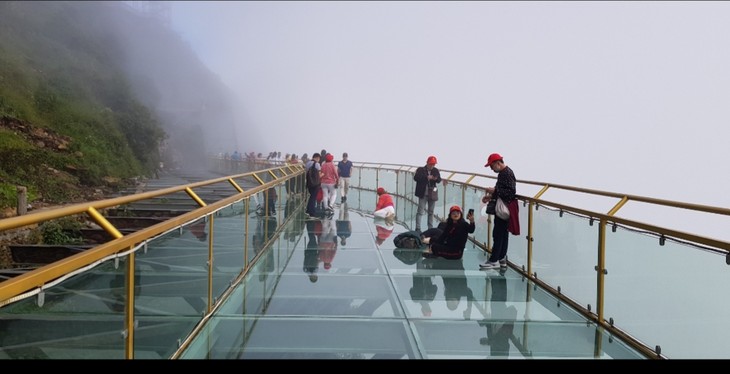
(573, 248)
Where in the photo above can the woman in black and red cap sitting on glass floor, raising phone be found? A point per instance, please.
(450, 244)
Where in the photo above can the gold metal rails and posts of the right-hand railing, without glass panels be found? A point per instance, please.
(465, 181)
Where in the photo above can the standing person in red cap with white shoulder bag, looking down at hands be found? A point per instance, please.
(506, 189)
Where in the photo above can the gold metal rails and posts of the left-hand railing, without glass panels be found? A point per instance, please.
(35, 281)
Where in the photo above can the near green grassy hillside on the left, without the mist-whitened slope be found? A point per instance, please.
(68, 118)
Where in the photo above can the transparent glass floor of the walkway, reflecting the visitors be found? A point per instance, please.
(363, 298)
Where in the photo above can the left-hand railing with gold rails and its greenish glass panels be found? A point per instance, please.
(140, 295)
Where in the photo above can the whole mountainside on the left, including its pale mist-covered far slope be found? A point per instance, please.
(114, 87)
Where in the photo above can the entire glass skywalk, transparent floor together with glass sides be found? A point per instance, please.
(225, 281)
